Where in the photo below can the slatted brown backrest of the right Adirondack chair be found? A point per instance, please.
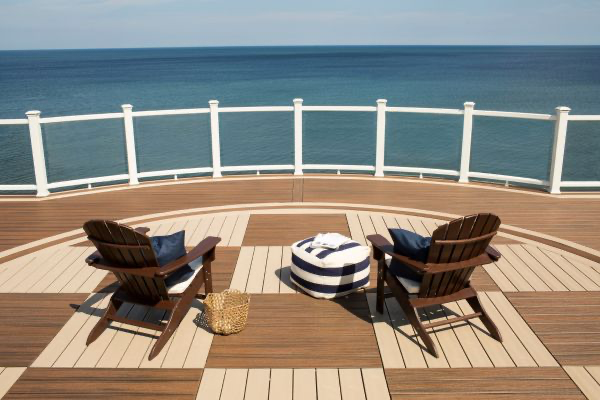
(479, 228)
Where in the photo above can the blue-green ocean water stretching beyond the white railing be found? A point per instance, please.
(526, 79)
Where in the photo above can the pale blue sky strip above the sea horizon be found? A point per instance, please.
(42, 24)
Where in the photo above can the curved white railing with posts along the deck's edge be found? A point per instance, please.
(464, 173)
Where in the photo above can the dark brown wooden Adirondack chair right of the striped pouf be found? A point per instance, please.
(457, 248)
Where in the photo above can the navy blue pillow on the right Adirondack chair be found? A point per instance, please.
(411, 245)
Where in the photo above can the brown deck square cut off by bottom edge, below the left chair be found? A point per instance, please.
(102, 384)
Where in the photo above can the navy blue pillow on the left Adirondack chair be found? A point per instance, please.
(169, 248)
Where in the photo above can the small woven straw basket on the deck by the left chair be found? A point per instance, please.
(227, 312)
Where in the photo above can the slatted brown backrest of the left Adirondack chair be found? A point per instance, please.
(122, 246)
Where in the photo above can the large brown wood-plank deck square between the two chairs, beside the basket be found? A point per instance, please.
(297, 331)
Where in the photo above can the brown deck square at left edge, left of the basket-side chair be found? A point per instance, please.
(29, 322)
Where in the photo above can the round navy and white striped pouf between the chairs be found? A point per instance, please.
(325, 273)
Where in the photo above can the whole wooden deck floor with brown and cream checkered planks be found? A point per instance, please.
(544, 297)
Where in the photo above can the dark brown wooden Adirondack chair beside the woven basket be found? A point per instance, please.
(128, 254)
